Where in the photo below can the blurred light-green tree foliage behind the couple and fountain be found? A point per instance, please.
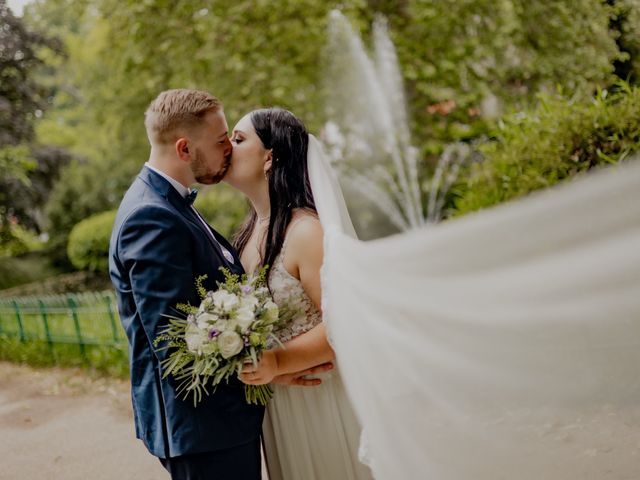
(465, 63)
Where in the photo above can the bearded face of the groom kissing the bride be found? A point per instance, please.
(212, 149)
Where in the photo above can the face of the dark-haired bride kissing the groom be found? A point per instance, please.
(249, 159)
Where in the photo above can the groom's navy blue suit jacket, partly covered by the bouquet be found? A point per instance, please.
(158, 248)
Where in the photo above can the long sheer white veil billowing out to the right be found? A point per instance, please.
(501, 345)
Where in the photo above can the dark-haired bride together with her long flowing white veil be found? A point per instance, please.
(504, 344)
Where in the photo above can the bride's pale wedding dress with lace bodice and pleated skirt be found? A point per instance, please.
(310, 433)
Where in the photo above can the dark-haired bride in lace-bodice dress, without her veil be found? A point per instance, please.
(310, 434)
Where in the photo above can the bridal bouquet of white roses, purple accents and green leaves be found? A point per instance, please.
(230, 328)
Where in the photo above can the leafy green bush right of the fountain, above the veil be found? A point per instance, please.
(555, 141)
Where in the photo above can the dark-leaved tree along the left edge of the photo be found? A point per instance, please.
(26, 173)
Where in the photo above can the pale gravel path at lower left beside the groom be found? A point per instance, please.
(62, 424)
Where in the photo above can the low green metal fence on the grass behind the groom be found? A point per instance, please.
(82, 319)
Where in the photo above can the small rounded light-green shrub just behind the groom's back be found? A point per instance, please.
(88, 247)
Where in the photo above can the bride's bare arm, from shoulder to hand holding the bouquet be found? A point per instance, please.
(303, 260)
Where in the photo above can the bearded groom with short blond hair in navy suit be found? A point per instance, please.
(159, 245)
